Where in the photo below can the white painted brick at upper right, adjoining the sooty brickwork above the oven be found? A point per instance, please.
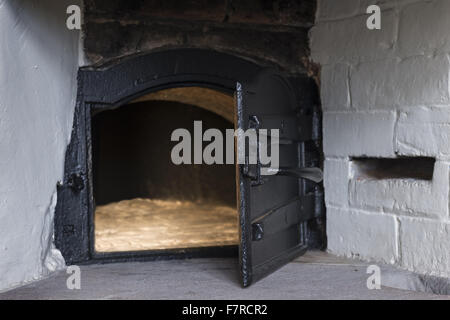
(349, 40)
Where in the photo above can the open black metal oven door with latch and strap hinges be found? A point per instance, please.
(272, 211)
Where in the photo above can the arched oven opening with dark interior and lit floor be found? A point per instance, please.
(142, 200)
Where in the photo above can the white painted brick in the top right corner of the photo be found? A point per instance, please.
(424, 27)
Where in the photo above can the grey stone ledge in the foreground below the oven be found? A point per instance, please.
(314, 276)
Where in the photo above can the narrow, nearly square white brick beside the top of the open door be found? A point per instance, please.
(335, 92)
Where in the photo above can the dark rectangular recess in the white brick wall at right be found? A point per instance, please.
(418, 168)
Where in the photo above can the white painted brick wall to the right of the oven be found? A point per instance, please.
(385, 93)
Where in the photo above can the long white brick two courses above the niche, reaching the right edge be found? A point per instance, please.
(393, 83)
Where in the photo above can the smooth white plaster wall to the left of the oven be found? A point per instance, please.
(38, 65)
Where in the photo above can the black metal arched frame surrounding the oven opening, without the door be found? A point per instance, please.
(110, 86)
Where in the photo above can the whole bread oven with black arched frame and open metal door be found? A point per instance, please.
(124, 199)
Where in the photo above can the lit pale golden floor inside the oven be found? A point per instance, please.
(146, 224)
